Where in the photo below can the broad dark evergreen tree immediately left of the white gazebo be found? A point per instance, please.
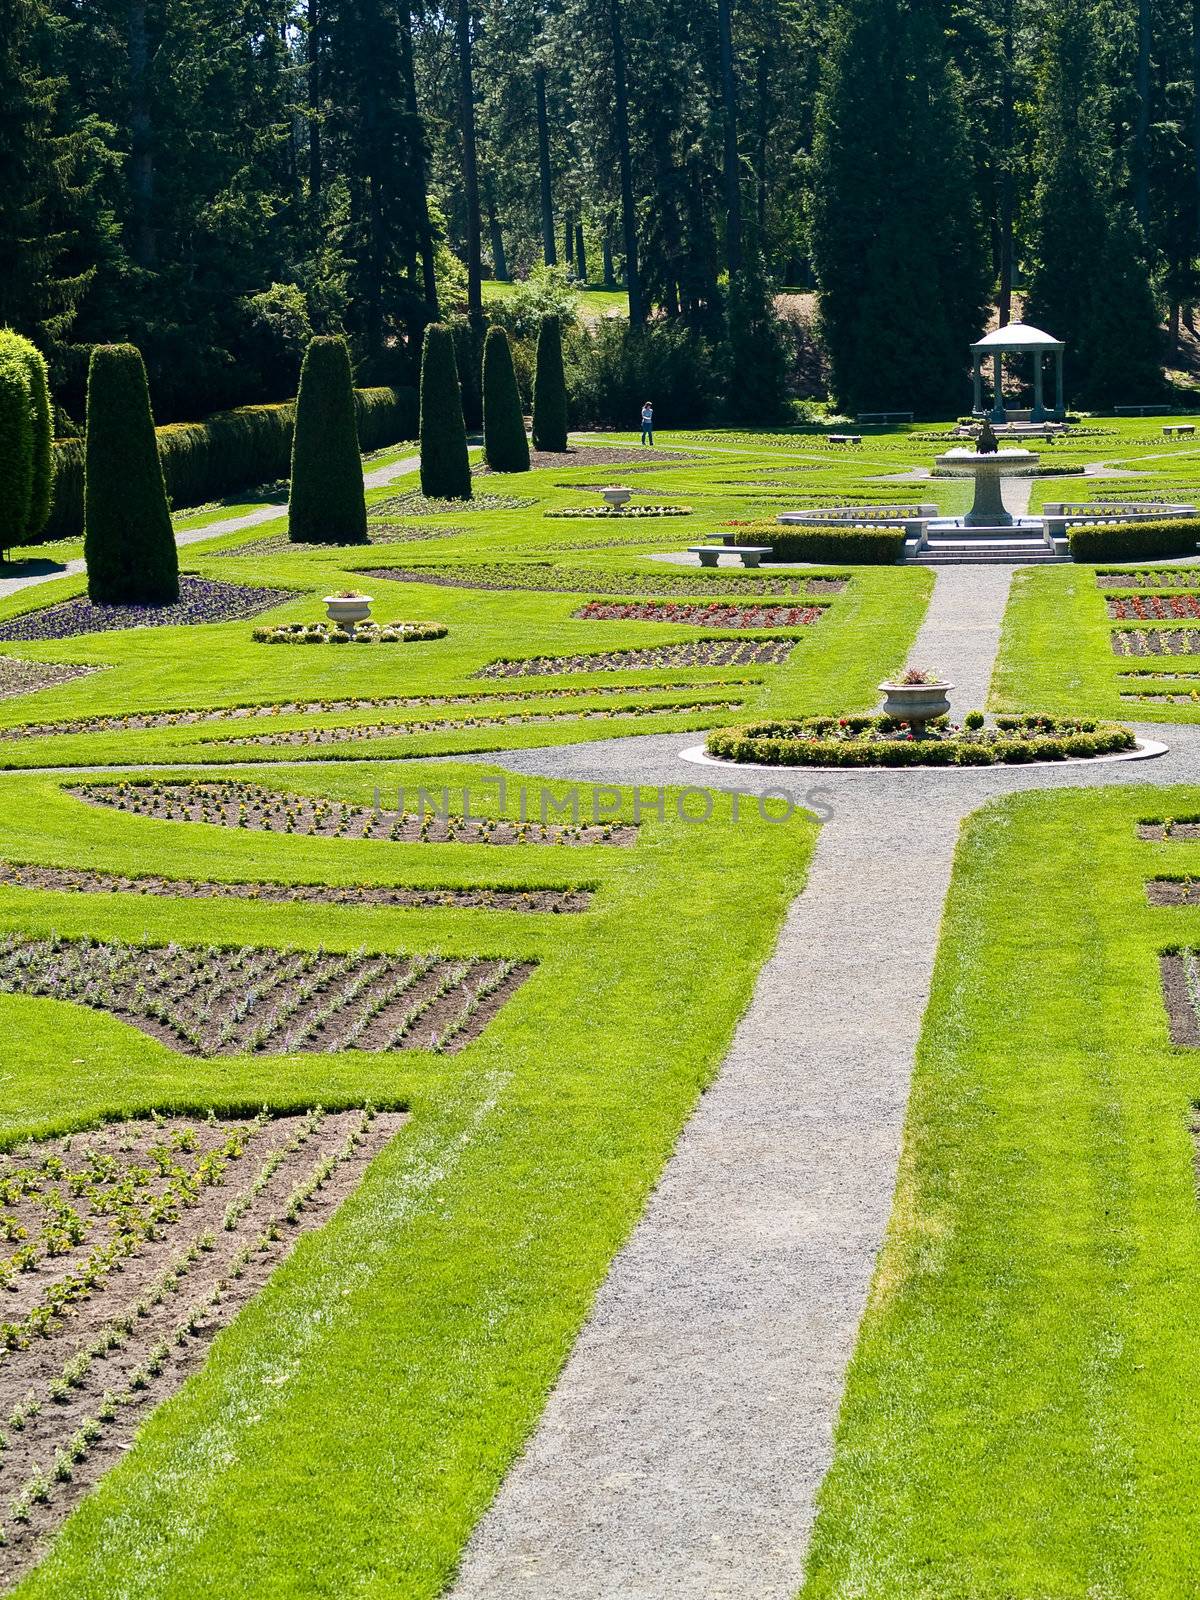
(897, 241)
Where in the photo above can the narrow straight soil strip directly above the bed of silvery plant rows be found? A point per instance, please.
(87, 881)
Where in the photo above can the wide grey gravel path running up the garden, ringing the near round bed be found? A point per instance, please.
(684, 1446)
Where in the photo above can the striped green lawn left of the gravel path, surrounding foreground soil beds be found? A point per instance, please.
(354, 1422)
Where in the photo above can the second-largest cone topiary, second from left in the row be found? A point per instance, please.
(327, 503)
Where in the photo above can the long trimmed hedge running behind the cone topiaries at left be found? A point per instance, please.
(233, 450)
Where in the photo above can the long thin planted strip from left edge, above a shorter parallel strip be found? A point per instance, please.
(138, 722)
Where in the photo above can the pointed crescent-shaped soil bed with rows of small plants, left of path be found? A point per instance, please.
(254, 807)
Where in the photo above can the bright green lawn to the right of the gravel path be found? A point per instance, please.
(1018, 1415)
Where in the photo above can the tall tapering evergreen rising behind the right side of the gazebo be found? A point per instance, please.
(1087, 284)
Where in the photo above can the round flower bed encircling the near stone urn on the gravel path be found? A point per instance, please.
(884, 742)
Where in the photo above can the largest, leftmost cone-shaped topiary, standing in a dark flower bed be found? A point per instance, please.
(129, 542)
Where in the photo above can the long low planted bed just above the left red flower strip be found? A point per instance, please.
(572, 580)
